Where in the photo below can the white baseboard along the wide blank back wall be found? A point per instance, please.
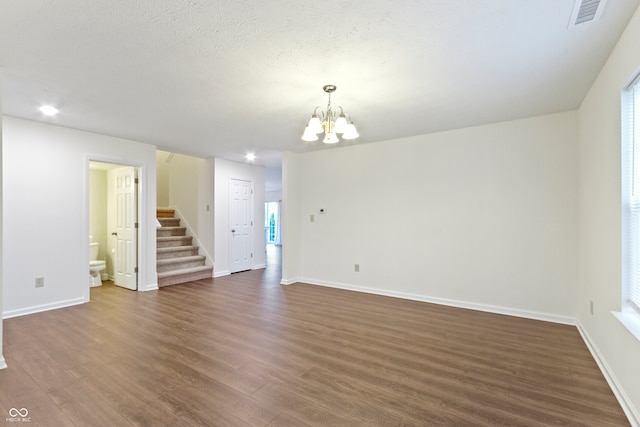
(547, 317)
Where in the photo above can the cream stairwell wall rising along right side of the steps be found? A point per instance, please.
(190, 182)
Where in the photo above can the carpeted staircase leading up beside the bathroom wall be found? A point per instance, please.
(177, 259)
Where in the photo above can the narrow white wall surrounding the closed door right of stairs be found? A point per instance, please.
(224, 170)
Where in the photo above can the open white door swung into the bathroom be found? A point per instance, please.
(126, 255)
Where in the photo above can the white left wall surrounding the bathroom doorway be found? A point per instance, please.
(46, 210)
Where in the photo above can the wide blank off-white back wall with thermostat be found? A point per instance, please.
(483, 217)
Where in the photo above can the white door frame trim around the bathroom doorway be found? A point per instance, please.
(140, 215)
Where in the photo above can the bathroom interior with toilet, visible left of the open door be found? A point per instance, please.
(102, 211)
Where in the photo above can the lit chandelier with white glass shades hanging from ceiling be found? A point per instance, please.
(330, 122)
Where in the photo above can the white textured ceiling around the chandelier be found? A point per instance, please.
(220, 78)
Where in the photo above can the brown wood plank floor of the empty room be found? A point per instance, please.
(243, 350)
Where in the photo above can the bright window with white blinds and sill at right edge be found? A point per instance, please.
(630, 314)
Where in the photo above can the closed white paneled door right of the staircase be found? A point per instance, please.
(241, 224)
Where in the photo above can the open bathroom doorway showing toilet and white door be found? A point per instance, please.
(113, 224)
